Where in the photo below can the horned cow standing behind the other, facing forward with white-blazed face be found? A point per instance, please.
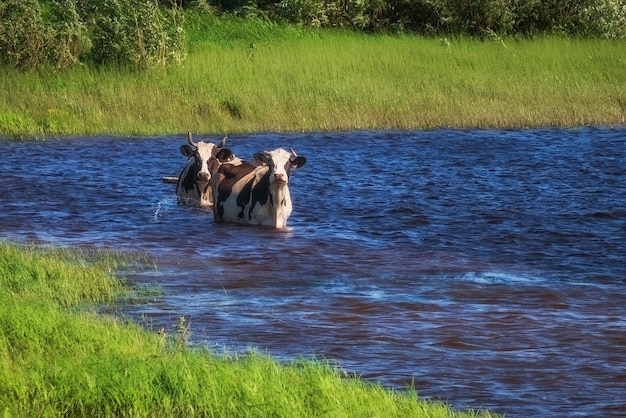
(194, 182)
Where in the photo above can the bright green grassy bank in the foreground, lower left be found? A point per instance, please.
(59, 358)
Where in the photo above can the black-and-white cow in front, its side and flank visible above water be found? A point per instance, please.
(255, 194)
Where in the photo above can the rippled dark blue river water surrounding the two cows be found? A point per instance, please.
(487, 267)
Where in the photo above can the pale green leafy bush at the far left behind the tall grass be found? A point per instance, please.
(60, 33)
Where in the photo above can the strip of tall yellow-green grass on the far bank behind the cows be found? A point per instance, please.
(254, 76)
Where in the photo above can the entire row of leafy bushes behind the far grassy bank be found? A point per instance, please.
(146, 33)
